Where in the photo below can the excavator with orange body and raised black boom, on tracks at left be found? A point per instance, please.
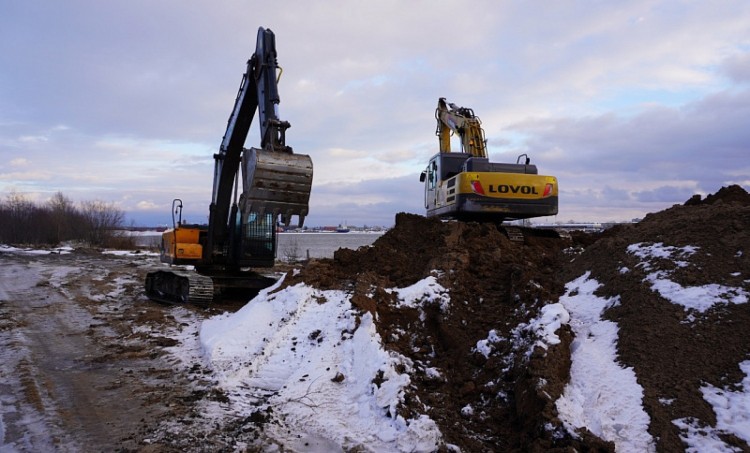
(242, 224)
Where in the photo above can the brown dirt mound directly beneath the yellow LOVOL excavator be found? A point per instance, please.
(483, 399)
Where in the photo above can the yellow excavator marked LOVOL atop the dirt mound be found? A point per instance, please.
(465, 185)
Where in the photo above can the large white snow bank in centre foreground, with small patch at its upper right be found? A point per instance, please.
(321, 365)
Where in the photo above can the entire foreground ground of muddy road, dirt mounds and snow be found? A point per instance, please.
(638, 343)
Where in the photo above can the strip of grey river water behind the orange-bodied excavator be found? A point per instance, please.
(296, 246)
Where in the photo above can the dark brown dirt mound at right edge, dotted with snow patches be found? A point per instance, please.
(675, 351)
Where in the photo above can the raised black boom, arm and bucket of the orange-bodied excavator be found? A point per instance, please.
(275, 181)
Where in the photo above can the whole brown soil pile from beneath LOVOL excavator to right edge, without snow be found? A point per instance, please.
(479, 374)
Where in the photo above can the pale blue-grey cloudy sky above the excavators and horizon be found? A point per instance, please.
(634, 106)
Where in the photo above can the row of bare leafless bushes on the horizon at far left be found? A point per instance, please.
(23, 221)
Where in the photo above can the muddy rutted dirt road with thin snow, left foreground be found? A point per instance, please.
(83, 355)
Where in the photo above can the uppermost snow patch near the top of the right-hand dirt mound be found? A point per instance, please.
(698, 298)
